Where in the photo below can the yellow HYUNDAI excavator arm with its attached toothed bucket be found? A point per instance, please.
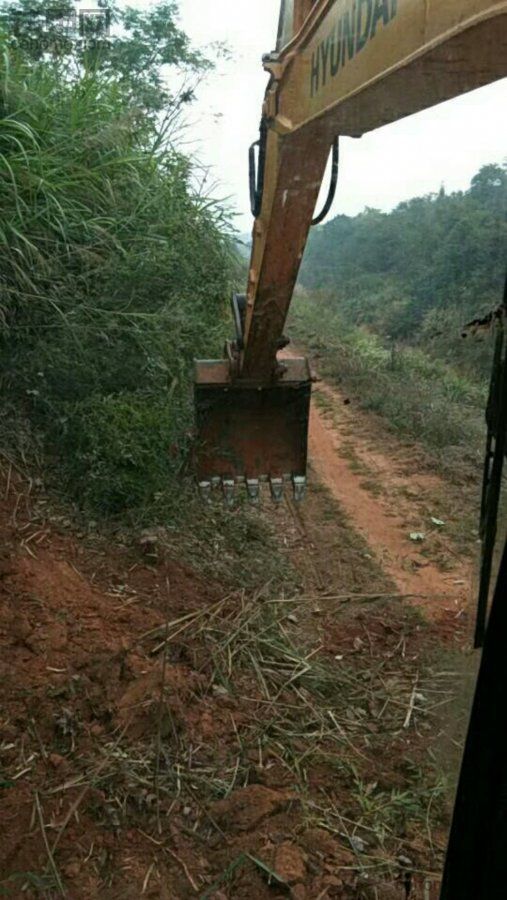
(341, 67)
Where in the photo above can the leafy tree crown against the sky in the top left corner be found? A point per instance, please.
(133, 48)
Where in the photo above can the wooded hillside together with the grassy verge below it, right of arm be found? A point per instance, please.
(384, 299)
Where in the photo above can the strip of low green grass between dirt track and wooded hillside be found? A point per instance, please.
(418, 395)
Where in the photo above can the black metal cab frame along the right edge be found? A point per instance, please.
(476, 861)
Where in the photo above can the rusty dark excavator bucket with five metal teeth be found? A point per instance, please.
(247, 434)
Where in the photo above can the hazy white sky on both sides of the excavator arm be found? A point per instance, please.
(445, 145)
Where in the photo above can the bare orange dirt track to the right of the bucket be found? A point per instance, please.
(388, 497)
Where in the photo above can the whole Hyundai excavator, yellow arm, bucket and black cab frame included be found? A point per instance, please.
(343, 68)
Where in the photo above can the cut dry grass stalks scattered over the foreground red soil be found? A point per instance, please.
(325, 724)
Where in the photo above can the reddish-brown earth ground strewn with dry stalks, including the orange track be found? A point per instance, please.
(127, 772)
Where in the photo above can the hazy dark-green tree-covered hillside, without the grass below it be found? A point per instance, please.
(420, 272)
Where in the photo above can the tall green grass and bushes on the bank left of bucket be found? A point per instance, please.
(113, 275)
